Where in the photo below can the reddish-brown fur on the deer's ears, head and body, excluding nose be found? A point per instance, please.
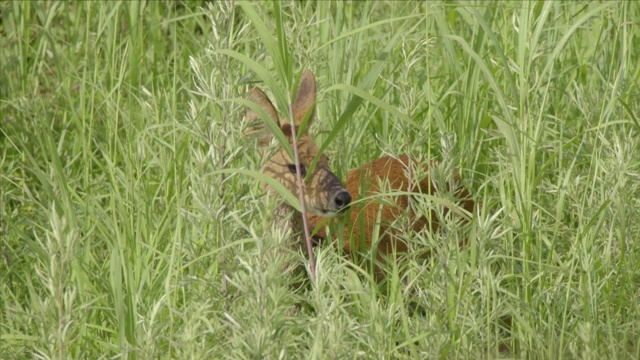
(322, 188)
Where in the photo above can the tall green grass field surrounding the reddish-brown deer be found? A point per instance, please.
(133, 226)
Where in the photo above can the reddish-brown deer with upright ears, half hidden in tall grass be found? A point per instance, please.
(327, 200)
